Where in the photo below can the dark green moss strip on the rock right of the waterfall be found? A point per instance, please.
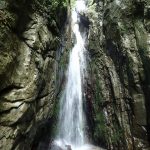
(100, 128)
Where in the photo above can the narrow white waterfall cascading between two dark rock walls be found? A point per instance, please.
(71, 117)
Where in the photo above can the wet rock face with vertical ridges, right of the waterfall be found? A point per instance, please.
(119, 81)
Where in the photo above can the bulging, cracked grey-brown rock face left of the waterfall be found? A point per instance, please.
(27, 54)
